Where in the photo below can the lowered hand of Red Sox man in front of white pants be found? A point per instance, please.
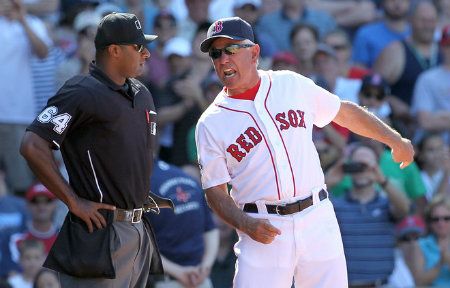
(260, 230)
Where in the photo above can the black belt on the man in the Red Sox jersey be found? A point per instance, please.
(288, 208)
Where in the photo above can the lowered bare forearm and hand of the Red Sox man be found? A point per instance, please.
(223, 205)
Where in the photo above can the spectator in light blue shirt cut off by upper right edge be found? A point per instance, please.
(431, 101)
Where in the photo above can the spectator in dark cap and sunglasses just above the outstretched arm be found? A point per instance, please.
(373, 95)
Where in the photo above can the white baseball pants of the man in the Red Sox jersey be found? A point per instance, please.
(309, 250)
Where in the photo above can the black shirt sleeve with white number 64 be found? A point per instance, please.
(64, 112)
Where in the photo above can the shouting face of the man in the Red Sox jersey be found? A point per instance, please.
(236, 71)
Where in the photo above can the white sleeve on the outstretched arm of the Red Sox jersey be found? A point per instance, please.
(325, 104)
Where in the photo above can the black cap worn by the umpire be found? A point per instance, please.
(121, 28)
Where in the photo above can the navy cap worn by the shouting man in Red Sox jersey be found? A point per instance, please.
(232, 28)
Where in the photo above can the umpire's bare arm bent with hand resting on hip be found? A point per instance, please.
(39, 156)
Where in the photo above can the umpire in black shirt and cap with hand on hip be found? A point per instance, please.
(105, 125)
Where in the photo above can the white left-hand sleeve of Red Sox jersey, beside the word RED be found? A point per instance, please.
(211, 159)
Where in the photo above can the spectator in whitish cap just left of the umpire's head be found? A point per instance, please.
(85, 25)
